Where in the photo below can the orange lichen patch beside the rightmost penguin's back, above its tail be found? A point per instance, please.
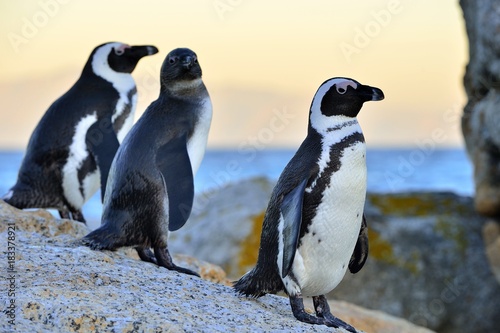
(250, 246)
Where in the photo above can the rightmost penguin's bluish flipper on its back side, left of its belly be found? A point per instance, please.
(291, 210)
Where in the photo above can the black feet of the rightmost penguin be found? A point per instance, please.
(322, 317)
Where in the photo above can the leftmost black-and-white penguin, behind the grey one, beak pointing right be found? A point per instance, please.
(71, 149)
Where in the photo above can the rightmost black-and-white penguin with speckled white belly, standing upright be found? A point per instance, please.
(314, 226)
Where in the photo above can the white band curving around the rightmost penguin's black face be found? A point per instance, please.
(319, 121)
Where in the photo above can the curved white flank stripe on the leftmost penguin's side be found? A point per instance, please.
(77, 154)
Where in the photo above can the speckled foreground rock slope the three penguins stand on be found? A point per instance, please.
(63, 287)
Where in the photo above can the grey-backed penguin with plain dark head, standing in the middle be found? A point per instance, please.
(150, 188)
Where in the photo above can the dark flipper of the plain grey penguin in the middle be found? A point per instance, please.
(173, 161)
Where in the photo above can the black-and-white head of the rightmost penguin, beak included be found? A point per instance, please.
(341, 96)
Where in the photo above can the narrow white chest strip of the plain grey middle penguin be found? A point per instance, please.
(198, 142)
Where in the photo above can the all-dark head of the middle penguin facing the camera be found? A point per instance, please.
(180, 70)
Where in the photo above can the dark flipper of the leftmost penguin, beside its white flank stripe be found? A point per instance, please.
(102, 143)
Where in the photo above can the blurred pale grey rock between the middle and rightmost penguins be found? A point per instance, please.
(225, 226)
